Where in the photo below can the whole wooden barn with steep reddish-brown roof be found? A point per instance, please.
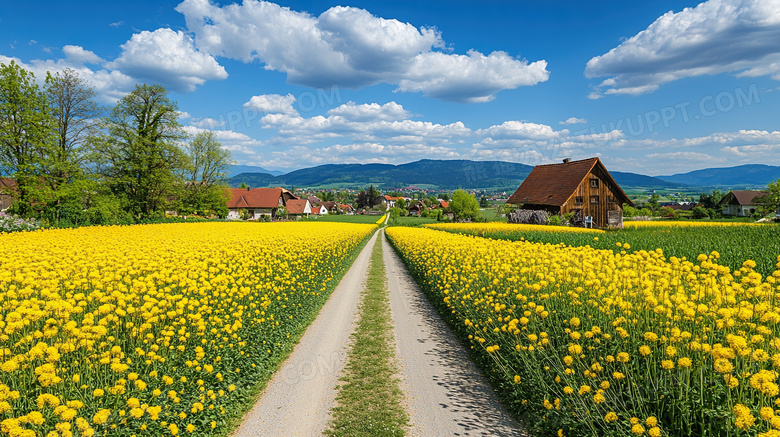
(583, 187)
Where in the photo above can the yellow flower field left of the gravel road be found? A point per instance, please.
(154, 329)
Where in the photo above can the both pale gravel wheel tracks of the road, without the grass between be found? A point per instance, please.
(445, 393)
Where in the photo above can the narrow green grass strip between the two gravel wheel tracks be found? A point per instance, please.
(369, 400)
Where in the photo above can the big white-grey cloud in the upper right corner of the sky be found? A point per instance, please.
(717, 36)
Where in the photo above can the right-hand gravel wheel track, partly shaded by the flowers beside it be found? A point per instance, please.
(446, 394)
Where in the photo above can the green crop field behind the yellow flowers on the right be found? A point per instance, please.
(735, 244)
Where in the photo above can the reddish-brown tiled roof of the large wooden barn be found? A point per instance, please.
(553, 184)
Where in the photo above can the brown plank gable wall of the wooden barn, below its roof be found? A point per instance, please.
(604, 191)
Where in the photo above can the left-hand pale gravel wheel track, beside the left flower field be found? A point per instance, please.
(300, 395)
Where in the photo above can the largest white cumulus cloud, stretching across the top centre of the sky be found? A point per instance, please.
(352, 48)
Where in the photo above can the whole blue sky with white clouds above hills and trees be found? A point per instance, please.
(654, 87)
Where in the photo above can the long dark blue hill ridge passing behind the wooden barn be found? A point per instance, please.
(443, 174)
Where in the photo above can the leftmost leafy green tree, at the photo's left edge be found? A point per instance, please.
(26, 134)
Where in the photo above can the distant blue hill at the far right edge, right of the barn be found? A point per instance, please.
(742, 176)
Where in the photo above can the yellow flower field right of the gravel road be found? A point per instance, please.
(594, 342)
